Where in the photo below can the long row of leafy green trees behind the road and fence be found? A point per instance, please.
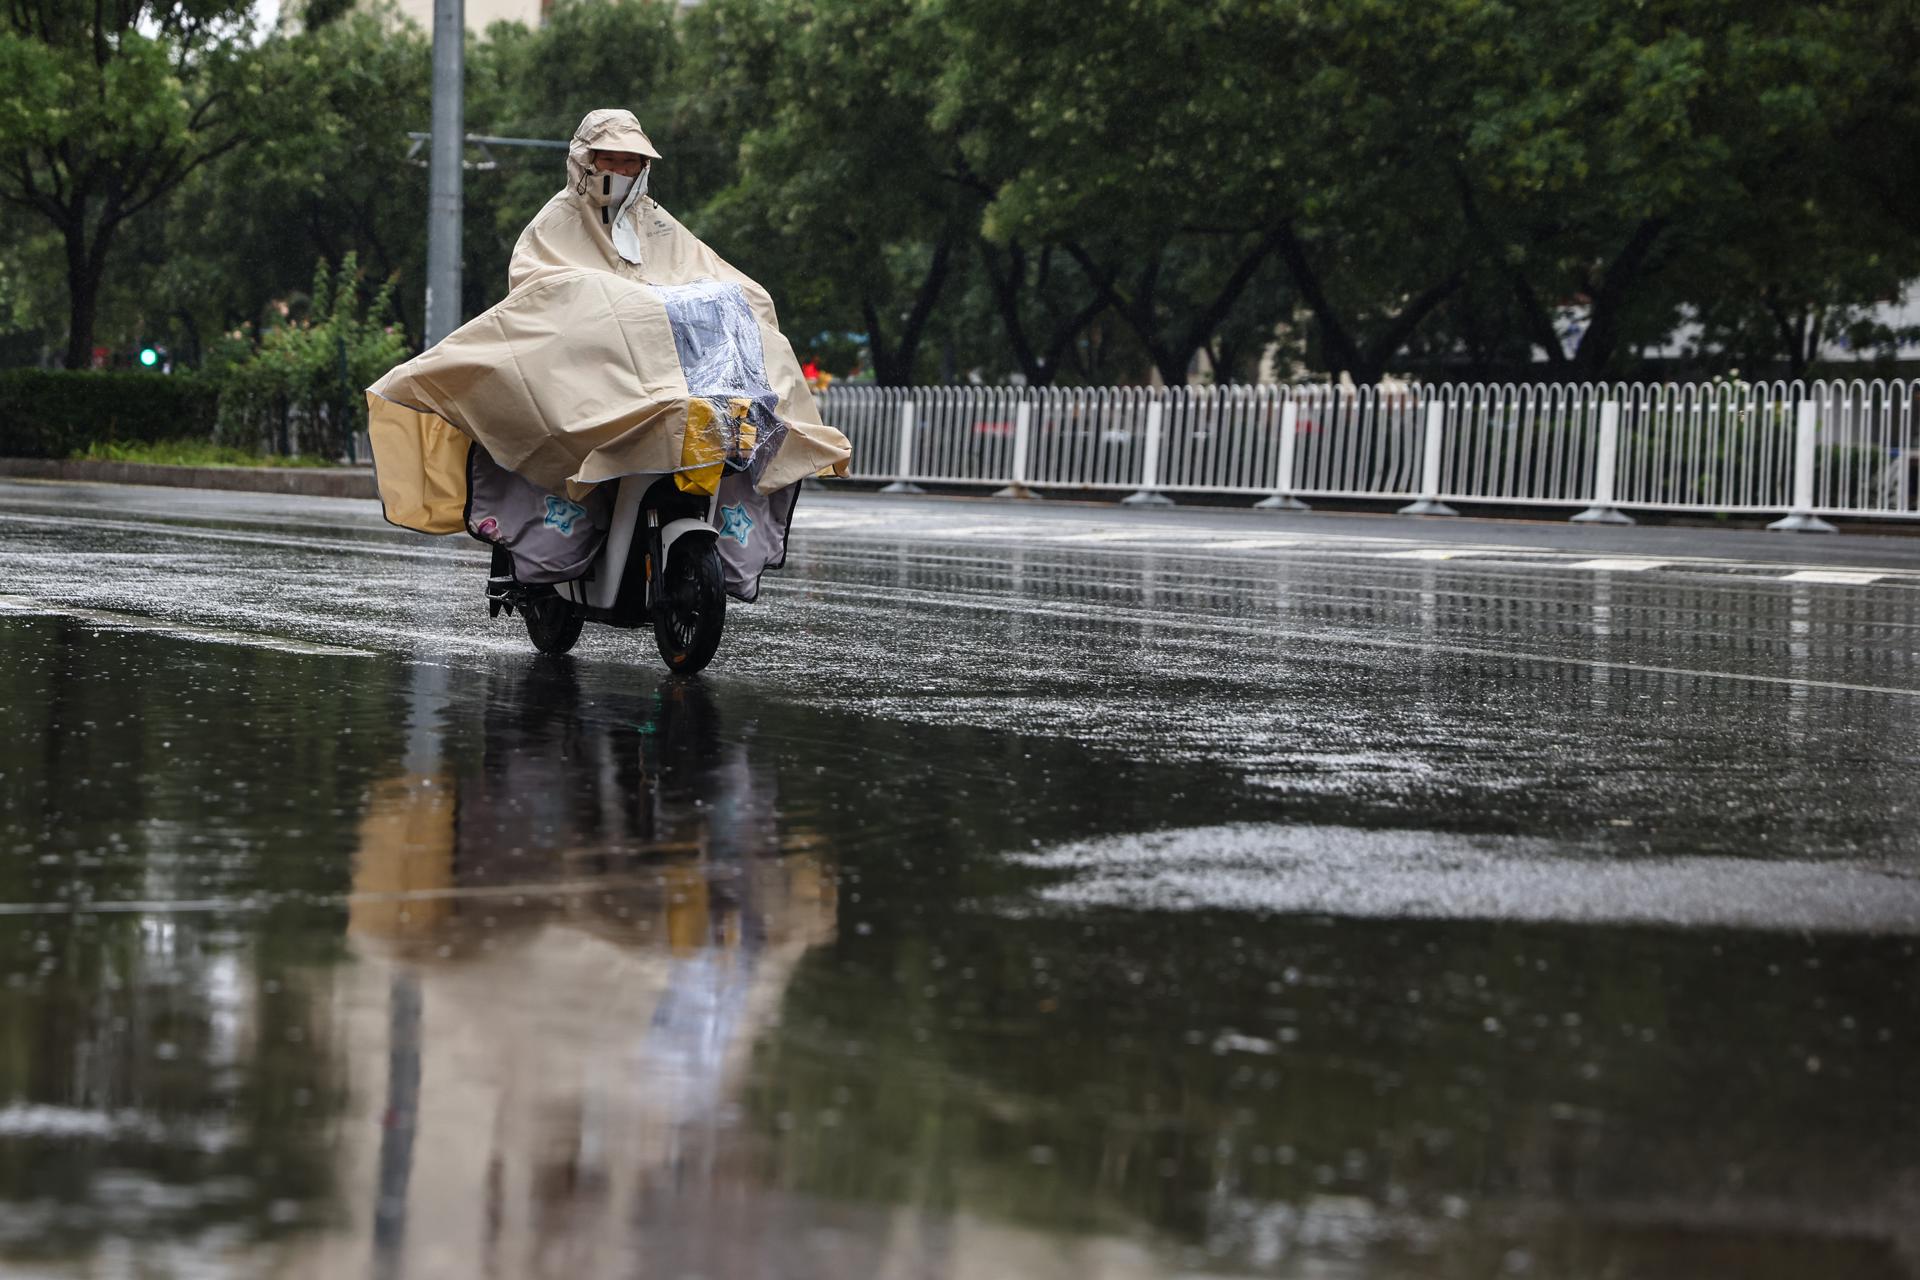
(990, 189)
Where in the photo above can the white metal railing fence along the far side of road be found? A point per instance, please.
(1796, 448)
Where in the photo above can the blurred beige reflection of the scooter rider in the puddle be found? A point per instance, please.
(565, 951)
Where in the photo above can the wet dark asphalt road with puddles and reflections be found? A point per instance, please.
(1024, 893)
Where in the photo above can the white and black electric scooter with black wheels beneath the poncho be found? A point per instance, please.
(660, 567)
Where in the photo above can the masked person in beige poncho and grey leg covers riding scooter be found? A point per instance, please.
(627, 348)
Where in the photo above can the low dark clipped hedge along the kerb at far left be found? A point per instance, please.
(53, 414)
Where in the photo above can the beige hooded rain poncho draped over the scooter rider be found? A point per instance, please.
(583, 373)
